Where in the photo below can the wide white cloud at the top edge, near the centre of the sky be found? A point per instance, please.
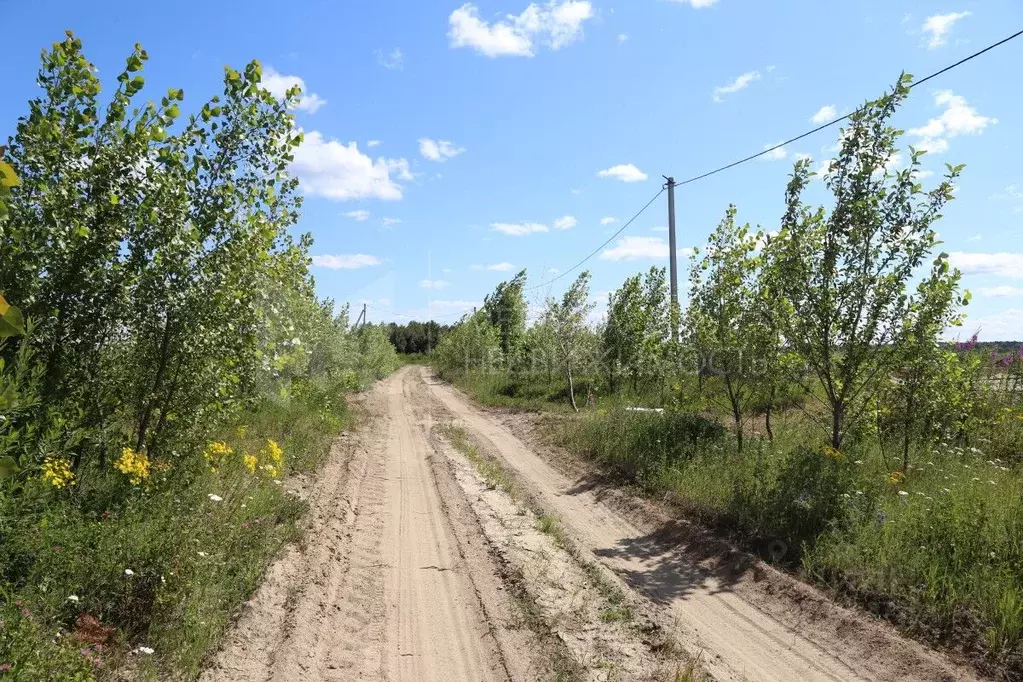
(555, 25)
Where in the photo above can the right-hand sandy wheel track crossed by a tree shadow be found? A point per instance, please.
(744, 633)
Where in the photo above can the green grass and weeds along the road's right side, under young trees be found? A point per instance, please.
(937, 551)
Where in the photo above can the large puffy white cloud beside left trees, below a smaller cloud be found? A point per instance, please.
(340, 172)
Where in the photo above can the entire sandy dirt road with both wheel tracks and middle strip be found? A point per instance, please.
(419, 567)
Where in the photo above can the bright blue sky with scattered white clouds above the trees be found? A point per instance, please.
(449, 145)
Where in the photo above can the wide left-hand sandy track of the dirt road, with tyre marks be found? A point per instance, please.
(390, 585)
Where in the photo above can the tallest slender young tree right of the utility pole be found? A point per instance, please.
(846, 275)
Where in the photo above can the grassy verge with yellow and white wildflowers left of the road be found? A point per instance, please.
(97, 579)
